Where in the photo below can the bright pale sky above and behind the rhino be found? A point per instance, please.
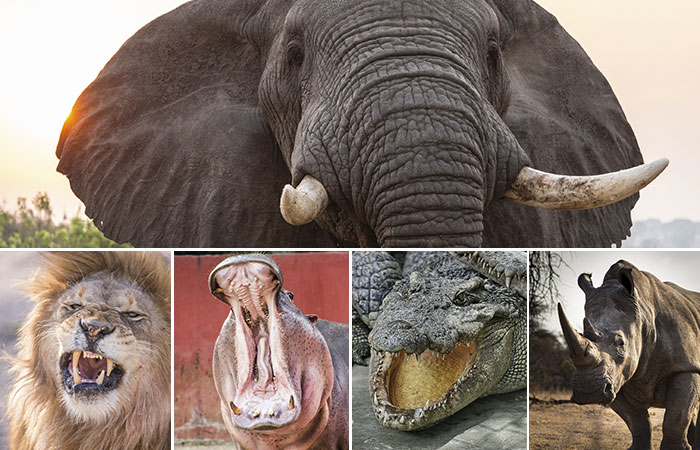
(680, 267)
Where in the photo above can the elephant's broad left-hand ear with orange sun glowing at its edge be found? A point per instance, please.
(168, 147)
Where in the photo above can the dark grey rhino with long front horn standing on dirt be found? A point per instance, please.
(640, 348)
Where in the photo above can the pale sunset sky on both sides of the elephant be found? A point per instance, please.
(52, 50)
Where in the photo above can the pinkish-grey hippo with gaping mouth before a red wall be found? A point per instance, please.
(282, 376)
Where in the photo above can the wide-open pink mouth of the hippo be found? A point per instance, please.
(263, 397)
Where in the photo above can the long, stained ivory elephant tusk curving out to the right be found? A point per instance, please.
(545, 190)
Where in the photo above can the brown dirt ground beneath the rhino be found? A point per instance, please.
(584, 427)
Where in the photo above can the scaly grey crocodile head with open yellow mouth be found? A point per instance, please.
(444, 339)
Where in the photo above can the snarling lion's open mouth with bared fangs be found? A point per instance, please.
(85, 371)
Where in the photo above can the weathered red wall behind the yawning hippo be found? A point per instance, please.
(319, 282)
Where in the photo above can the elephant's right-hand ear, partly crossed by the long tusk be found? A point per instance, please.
(566, 117)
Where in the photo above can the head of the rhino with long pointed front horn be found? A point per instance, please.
(608, 352)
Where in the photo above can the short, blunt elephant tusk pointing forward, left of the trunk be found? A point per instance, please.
(303, 204)
